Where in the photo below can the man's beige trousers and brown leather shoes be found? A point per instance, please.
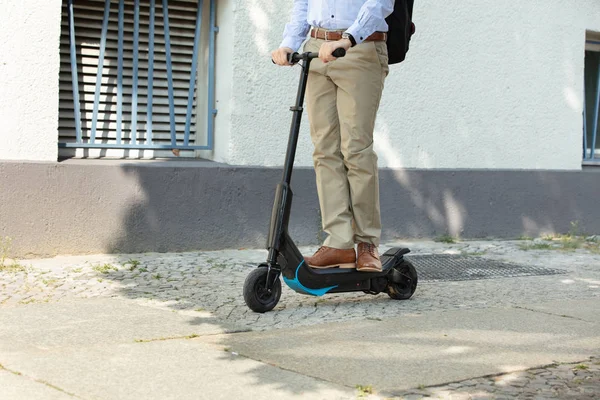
(342, 99)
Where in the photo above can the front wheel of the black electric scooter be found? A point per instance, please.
(256, 294)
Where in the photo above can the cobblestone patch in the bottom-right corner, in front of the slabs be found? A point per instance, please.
(568, 381)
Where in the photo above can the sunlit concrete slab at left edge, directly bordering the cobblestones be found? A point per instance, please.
(86, 322)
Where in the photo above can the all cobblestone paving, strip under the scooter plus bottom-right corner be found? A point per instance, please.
(213, 281)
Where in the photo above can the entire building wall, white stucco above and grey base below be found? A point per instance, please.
(485, 88)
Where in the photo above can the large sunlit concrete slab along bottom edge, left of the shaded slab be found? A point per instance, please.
(172, 369)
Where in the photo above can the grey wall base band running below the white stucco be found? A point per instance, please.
(87, 206)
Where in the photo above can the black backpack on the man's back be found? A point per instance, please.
(400, 30)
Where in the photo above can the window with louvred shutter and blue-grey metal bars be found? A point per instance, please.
(131, 78)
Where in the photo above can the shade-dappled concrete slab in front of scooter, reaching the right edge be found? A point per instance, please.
(429, 349)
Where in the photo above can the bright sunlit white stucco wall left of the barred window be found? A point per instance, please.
(29, 66)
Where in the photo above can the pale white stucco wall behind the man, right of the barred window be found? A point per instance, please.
(487, 84)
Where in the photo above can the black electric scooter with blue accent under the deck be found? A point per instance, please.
(262, 288)
